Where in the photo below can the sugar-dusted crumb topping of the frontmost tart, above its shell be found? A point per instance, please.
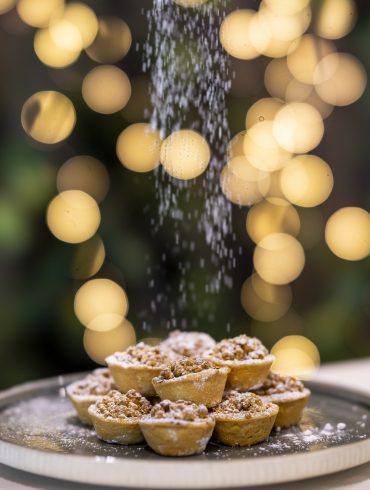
(180, 410)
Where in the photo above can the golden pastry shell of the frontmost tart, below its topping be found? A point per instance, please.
(174, 438)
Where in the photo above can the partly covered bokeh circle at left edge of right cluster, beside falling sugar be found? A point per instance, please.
(242, 183)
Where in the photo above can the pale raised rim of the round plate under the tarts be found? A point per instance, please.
(165, 473)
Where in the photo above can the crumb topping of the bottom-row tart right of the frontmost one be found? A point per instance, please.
(246, 404)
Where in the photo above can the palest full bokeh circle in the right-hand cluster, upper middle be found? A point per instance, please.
(298, 127)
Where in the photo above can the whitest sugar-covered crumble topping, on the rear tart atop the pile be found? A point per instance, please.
(189, 344)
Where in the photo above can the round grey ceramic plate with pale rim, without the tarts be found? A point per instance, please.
(39, 433)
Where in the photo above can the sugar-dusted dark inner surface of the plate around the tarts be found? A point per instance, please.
(47, 421)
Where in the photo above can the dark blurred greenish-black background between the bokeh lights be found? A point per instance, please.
(39, 334)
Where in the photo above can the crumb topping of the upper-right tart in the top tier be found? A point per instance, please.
(239, 348)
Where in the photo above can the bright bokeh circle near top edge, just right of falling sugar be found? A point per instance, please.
(235, 34)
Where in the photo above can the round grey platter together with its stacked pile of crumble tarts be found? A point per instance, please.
(187, 413)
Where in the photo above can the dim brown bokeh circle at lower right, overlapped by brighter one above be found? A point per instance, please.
(263, 301)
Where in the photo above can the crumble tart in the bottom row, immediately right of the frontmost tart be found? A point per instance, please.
(244, 428)
